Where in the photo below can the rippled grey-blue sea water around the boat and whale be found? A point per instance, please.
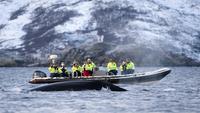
(179, 92)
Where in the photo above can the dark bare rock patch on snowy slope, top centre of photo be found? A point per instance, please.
(113, 18)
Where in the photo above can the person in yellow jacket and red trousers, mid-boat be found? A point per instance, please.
(88, 68)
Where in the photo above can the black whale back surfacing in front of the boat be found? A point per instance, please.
(79, 85)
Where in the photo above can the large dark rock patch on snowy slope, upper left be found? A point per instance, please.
(40, 31)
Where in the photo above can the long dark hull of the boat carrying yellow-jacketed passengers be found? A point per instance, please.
(124, 79)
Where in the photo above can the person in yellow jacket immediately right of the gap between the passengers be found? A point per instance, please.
(112, 67)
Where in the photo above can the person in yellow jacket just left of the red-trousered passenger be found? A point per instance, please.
(76, 69)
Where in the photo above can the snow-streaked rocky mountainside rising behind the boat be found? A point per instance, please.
(152, 32)
